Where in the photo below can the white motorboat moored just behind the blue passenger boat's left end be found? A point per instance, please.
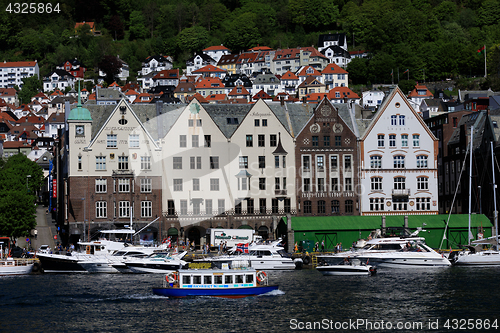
(158, 262)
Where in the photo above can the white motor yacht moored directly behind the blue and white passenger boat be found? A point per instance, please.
(259, 256)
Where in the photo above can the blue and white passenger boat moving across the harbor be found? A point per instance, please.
(227, 283)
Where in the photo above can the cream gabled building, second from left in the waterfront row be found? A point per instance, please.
(195, 170)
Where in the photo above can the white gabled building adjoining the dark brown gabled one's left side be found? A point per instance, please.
(267, 157)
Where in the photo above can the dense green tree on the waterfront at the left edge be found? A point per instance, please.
(20, 178)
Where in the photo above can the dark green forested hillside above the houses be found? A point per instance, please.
(438, 38)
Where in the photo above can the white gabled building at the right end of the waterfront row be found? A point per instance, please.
(398, 162)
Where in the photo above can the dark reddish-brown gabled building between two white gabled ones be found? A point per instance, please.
(326, 160)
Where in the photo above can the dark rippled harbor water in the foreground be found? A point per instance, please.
(416, 300)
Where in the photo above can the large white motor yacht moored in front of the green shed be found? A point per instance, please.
(414, 254)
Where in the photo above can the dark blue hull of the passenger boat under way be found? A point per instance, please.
(214, 292)
